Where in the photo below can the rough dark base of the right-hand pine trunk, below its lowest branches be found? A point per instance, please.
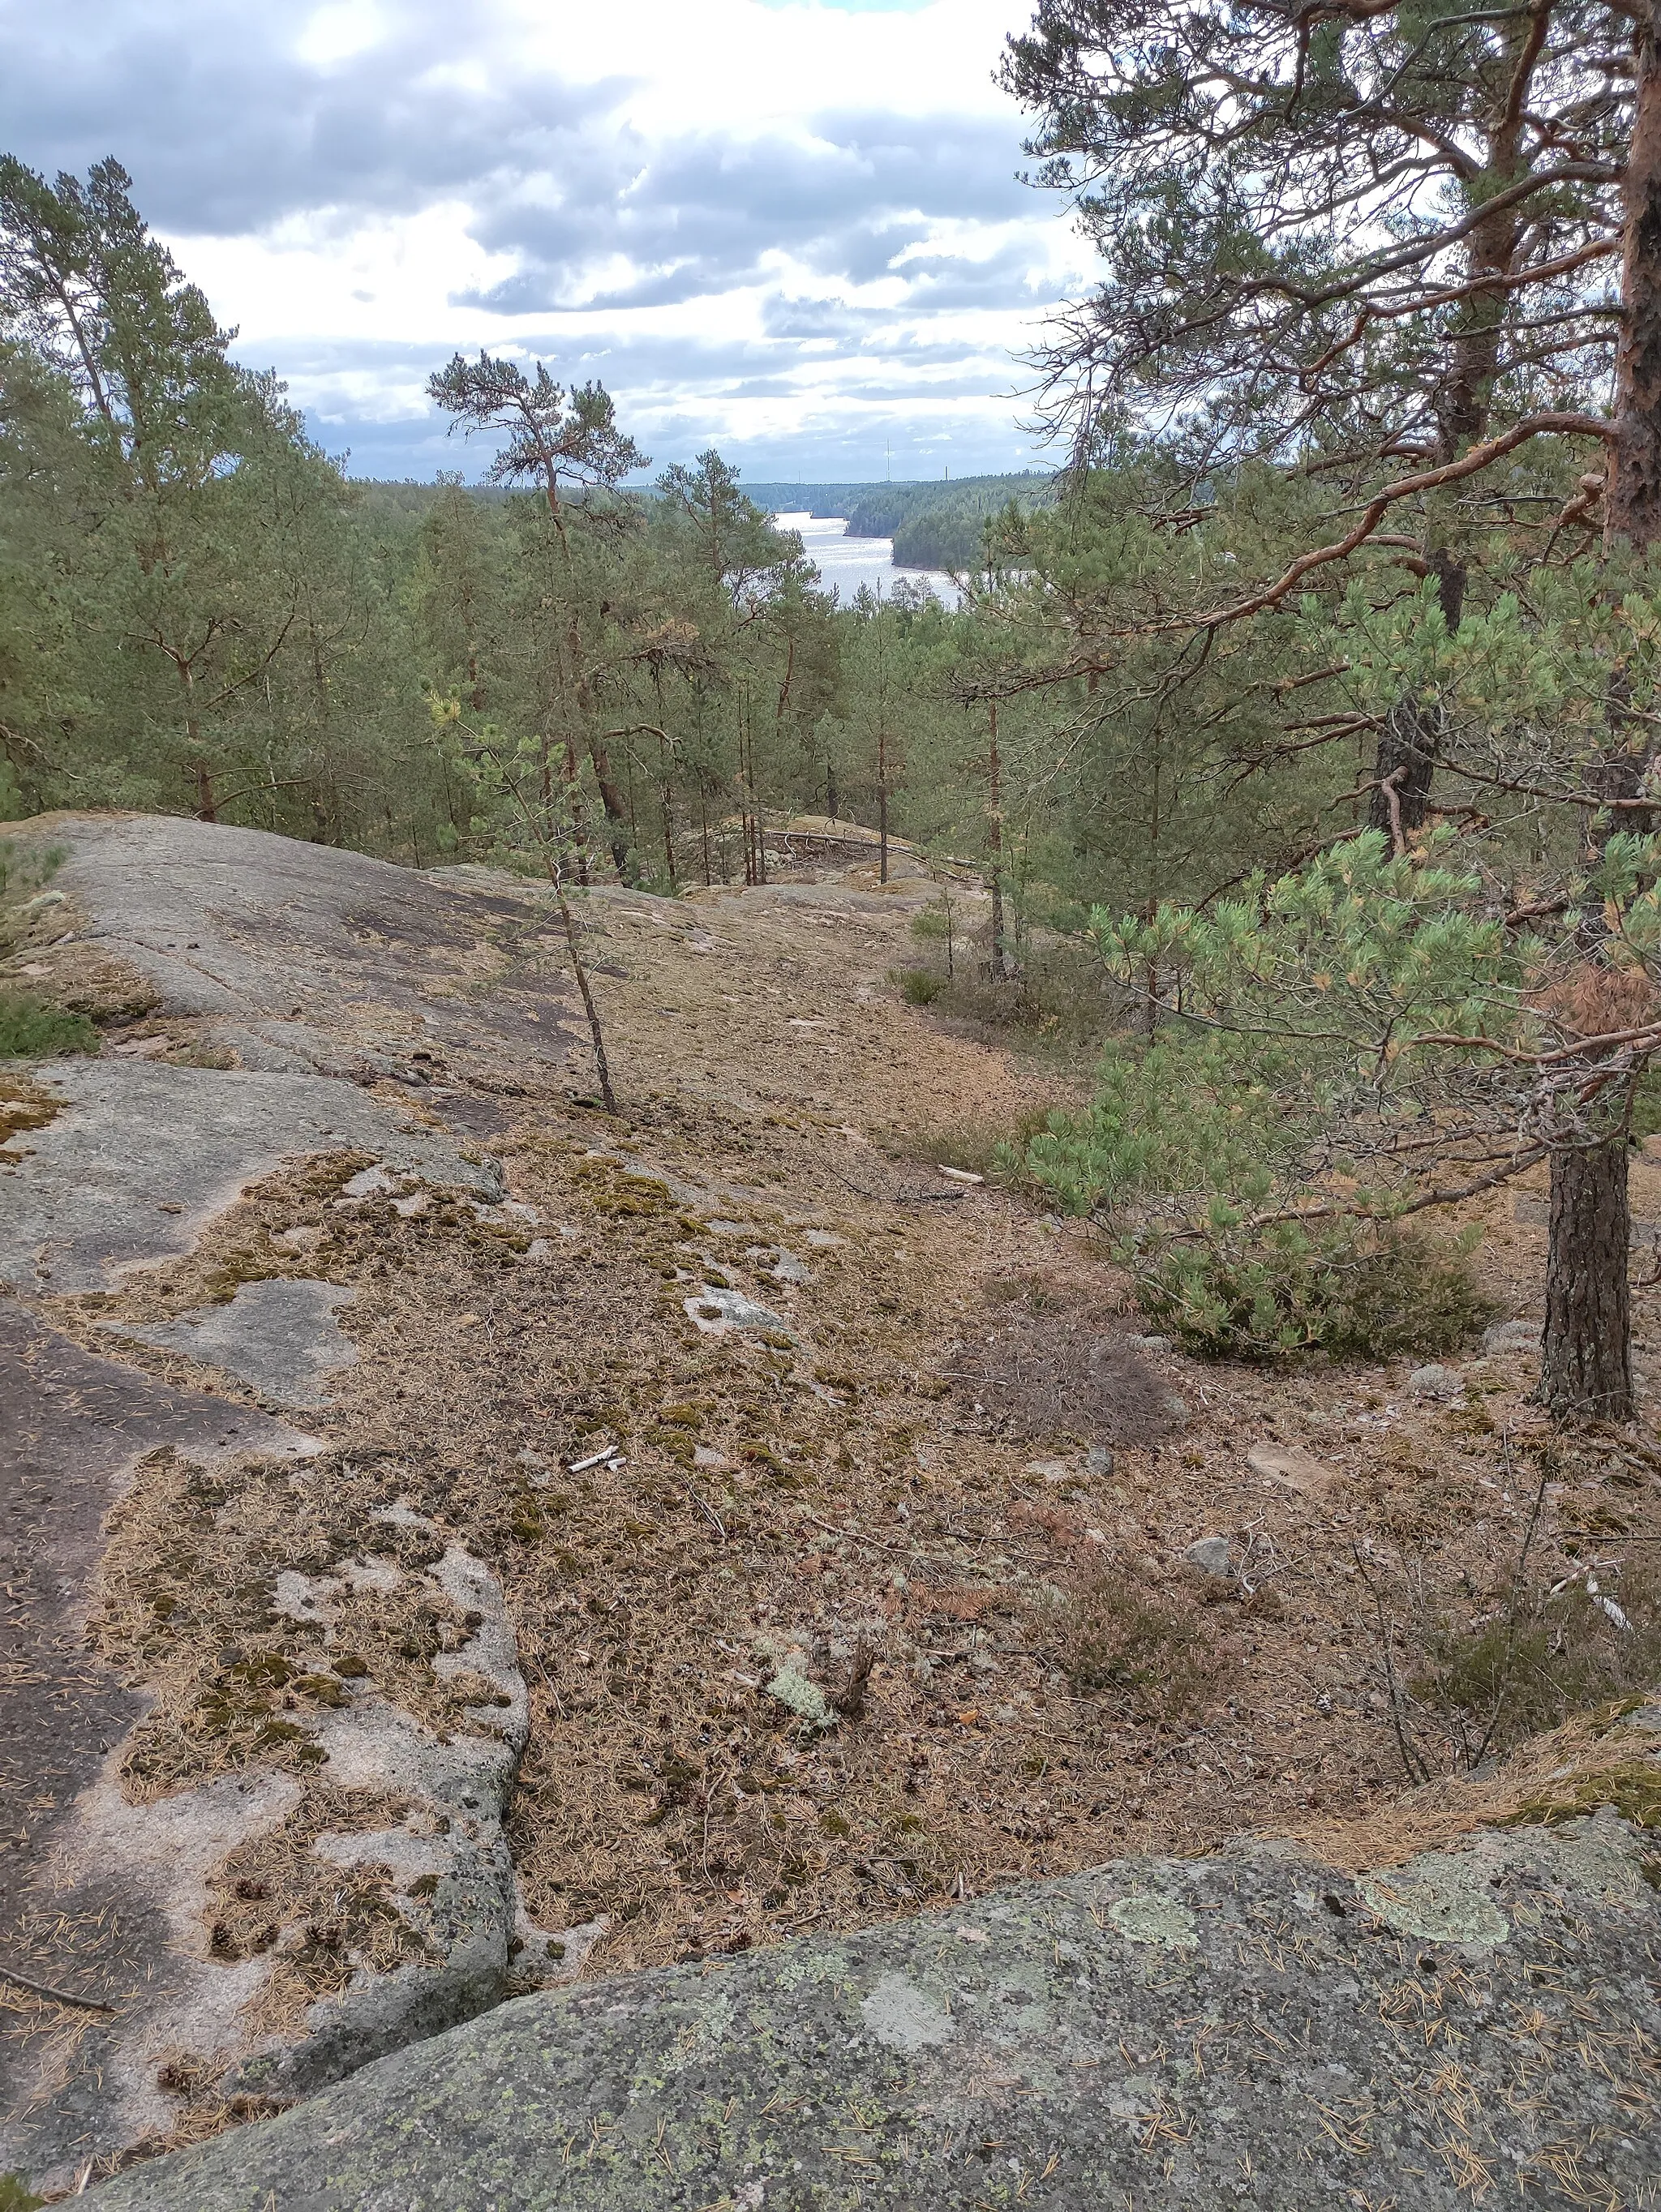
(1587, 1366)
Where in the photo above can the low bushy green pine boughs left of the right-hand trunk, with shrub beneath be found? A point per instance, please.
(1333, 1052)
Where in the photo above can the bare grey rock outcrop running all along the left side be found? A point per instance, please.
(311, 966)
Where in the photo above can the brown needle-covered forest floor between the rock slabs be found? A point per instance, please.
(830, 1485)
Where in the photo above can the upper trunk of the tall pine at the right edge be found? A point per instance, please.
(1633, 508)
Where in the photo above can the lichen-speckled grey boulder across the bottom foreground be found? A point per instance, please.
(1030, 2047)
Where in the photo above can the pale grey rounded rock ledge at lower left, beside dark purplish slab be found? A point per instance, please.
(160, 1857)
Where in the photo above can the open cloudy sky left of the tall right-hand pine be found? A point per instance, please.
(788, 229)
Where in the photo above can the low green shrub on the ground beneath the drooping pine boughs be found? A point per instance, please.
(1352, 1291)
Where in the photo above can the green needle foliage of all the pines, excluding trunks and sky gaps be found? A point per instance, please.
(1319, 1034)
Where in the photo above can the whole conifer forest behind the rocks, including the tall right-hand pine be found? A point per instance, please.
(1302, 722)
